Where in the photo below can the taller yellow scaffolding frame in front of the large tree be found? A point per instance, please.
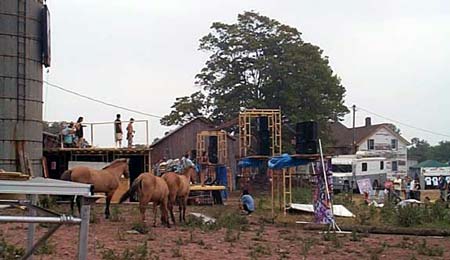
(245, 130)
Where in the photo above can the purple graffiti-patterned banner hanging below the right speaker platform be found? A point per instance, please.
(323, 193)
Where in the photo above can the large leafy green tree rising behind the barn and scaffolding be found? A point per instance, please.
(259, 62)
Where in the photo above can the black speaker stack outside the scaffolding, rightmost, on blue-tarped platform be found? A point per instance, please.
(306, 138)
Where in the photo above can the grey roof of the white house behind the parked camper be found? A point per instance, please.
(343, 136)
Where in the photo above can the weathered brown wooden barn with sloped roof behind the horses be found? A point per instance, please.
(183, 139)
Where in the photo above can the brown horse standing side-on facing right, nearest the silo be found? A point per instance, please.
(106, 180)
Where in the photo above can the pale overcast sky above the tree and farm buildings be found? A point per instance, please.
(392, 57)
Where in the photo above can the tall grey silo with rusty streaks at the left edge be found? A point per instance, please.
(22, 42)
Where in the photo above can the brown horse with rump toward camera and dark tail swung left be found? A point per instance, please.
(150, 188)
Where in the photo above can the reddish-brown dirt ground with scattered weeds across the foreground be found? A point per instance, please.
(282, 240)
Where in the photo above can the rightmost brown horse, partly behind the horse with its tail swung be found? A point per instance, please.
(179, 188)
